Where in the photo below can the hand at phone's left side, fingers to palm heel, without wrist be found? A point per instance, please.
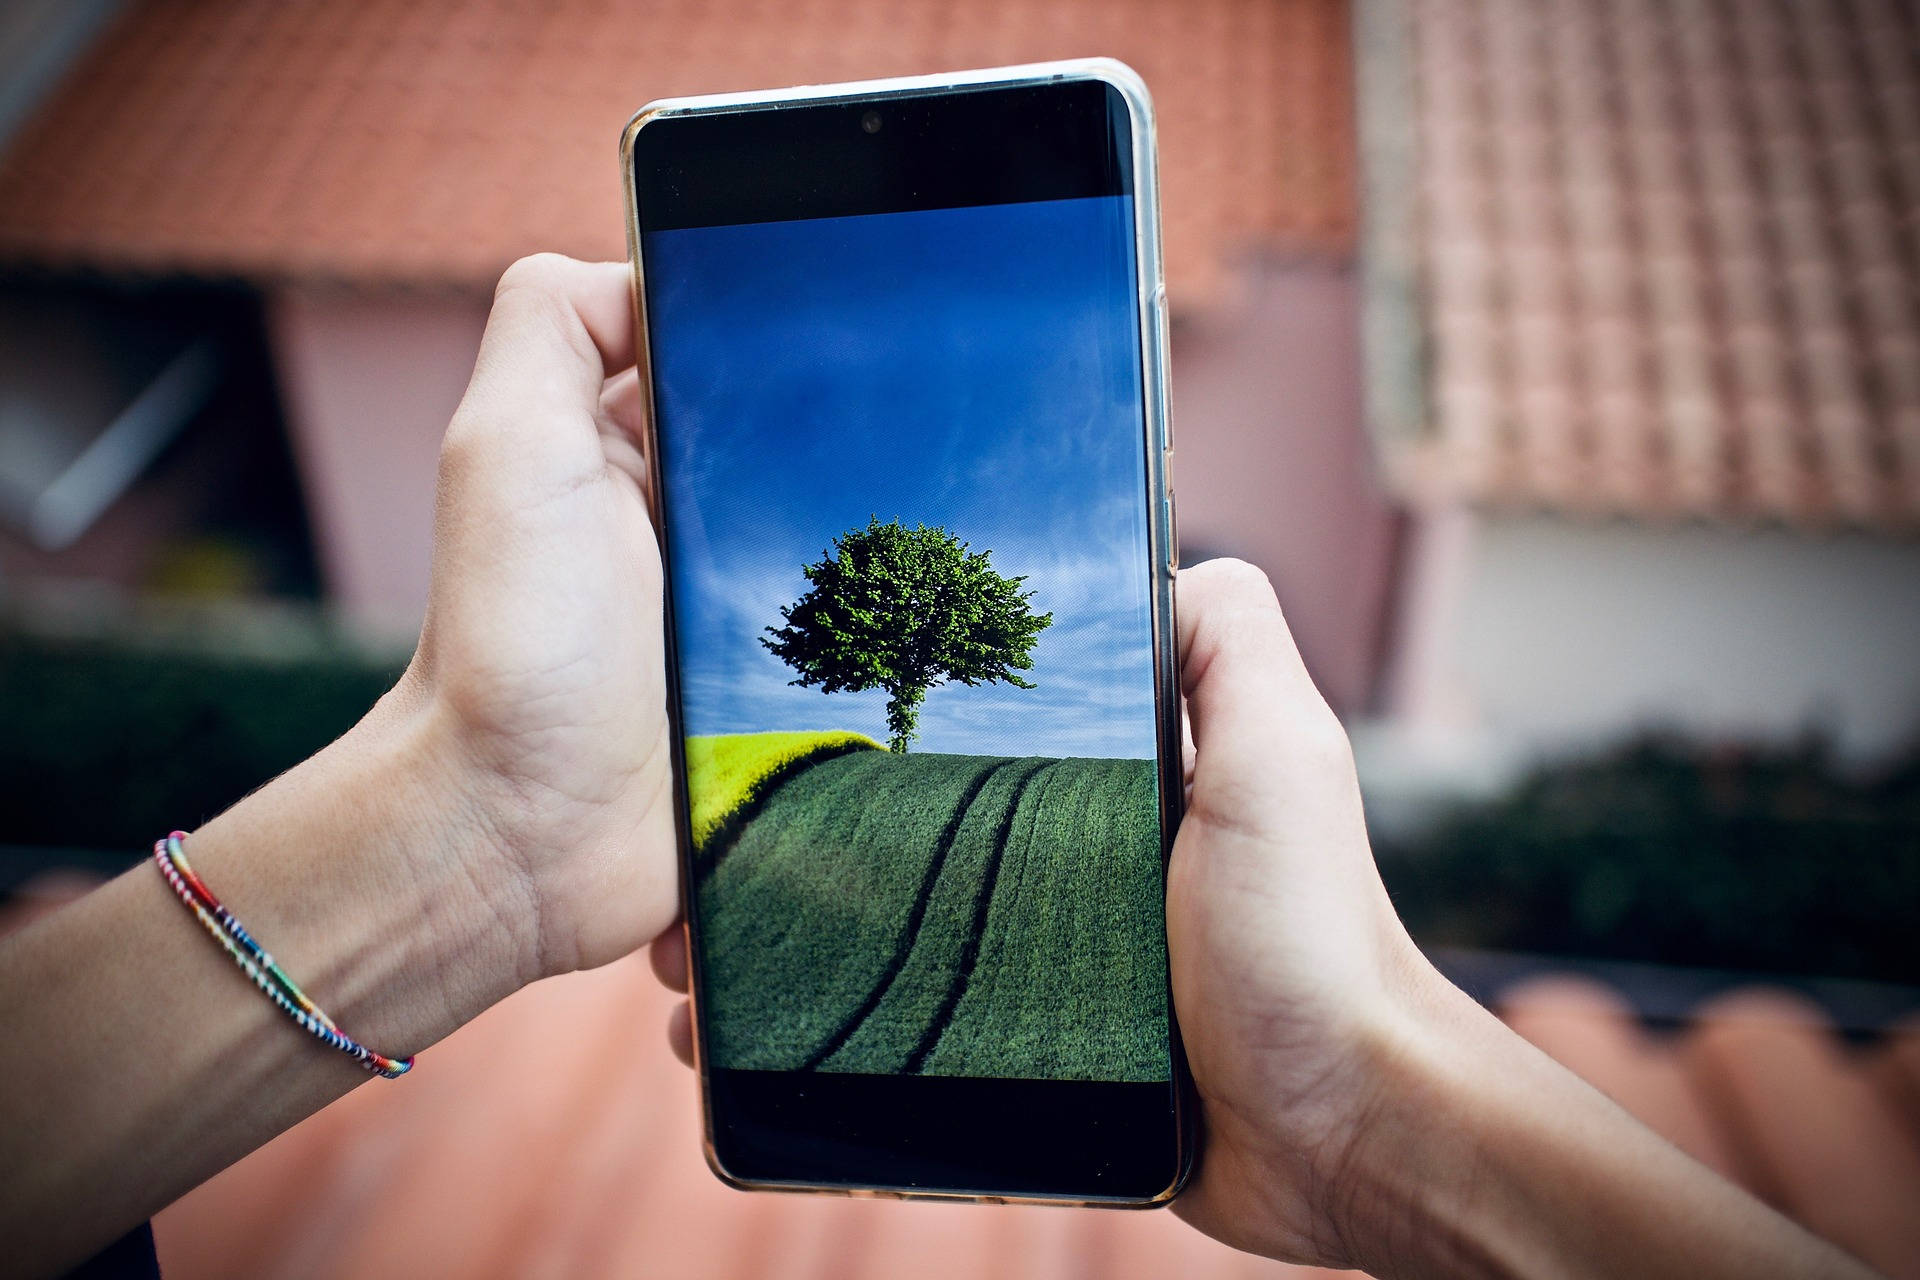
(540, 665)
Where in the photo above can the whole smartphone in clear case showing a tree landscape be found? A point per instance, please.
(905, 358)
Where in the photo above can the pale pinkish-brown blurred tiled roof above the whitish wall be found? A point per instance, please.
(1664, 256)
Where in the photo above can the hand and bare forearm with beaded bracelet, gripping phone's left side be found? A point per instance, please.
(504, 813)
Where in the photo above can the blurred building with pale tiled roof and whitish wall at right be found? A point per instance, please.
(1646, 366)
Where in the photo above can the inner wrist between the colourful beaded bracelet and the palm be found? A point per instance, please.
(400, 913)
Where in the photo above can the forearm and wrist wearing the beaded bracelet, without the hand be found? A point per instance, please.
(141, 1060)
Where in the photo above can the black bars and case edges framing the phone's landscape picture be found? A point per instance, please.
(1080, 1143)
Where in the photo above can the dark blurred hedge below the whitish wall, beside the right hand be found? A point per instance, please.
(1764, 861)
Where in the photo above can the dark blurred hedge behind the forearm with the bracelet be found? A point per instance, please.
(108, 746)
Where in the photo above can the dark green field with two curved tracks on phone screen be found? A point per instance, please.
(938, 914)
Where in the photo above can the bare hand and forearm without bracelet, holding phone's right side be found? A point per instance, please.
(1358, 1110)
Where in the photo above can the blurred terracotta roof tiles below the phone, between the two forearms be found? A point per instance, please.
(592, 1166)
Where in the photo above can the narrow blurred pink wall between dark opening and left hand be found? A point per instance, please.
(370, 383)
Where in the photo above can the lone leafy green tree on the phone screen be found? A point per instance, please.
(905, 609)
